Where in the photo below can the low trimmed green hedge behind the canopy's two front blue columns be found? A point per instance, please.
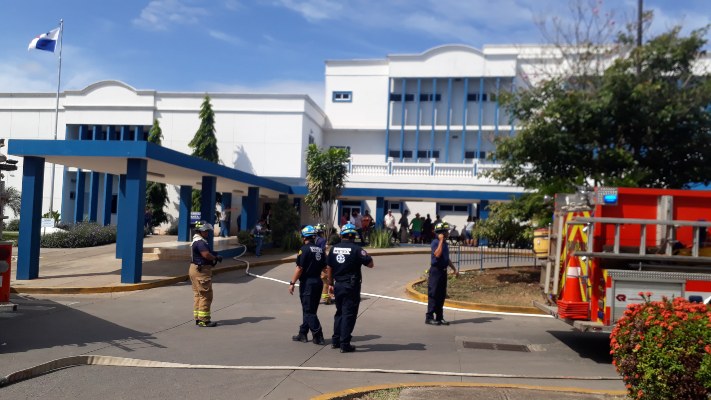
(85, 234)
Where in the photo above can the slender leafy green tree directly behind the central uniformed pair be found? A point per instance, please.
(325, 179)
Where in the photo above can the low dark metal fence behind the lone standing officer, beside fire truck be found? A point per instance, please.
(466, 256)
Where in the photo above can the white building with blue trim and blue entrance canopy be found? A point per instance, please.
(418, 128)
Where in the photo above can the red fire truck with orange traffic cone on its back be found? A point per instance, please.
(609, 244)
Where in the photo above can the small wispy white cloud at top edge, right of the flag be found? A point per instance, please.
(159, 15)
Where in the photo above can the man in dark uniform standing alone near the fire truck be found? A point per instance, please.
(437, 279)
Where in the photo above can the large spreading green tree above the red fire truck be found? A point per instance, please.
(644, 122)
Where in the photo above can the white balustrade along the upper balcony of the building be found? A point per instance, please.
(431, 168)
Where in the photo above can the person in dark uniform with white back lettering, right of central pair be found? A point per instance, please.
(344, 277)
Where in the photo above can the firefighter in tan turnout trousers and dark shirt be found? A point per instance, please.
(202, 262)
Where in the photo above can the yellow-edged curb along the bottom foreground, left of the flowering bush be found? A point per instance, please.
(366, 389)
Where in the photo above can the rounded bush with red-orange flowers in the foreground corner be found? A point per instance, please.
(662, 349)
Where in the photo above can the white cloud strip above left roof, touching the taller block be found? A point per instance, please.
(315, 90)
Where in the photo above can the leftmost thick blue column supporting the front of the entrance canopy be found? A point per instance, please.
(30, 217)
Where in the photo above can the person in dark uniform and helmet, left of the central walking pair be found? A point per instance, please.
(310, 262)
